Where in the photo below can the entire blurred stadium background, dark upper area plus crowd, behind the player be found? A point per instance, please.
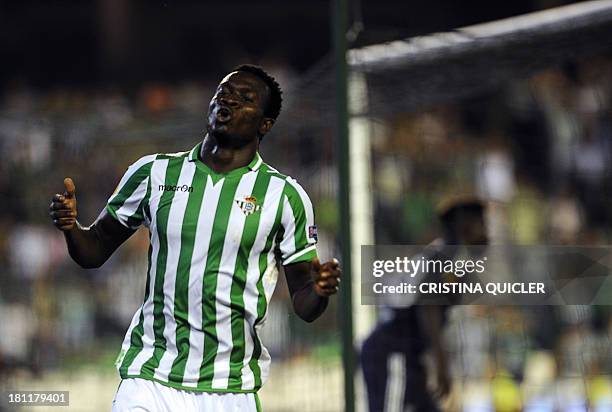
(92, 86)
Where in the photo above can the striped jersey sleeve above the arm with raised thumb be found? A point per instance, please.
(127, 202)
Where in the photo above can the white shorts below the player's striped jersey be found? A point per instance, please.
(142, 395)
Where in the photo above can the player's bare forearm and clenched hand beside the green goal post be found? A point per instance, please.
(310, 285)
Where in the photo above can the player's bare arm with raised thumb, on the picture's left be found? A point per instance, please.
(89, 246)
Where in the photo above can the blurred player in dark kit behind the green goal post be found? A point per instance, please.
(417, 329)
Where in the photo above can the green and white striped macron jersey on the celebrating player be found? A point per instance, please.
(214, 243)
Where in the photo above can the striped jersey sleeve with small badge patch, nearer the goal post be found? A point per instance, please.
(299, 239)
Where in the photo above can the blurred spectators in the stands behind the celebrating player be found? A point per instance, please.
(538, 150)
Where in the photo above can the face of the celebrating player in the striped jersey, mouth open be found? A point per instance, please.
(236, 111)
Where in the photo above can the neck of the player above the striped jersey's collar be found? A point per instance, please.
(223, 158)
